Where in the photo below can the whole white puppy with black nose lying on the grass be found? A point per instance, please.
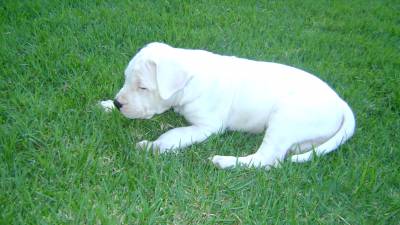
(299, 113)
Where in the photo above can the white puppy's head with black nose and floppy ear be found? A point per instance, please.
(152, 78)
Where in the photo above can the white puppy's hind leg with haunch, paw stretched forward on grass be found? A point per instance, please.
(287, 128)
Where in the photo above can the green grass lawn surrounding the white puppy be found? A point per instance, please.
(64, 161)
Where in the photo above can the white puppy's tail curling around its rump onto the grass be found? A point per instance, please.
(341, 136)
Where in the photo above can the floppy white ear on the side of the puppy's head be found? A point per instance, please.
(170, 77)
